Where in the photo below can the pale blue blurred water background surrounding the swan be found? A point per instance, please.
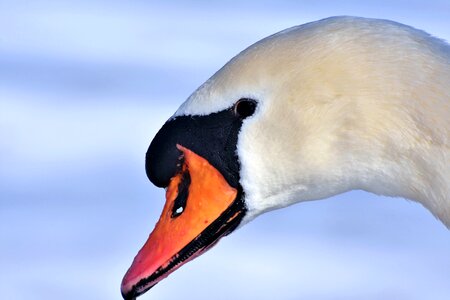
(85, 85)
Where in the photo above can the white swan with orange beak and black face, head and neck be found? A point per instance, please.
(315, 110)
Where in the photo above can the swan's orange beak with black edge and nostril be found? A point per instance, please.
(200, 208)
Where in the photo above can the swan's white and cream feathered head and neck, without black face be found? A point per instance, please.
(343, 103)
